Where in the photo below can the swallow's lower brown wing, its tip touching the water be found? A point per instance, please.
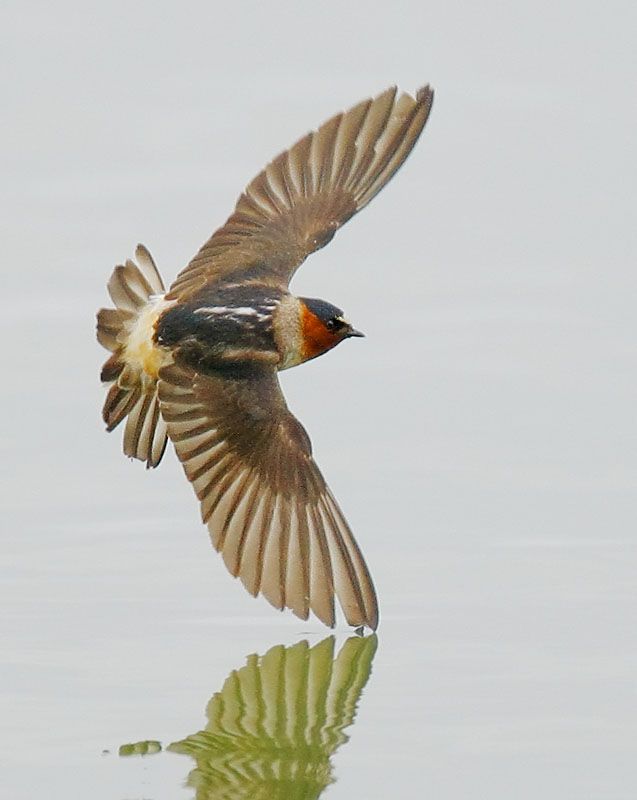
(266, 504)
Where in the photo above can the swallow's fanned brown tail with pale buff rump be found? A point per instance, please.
(131, 372)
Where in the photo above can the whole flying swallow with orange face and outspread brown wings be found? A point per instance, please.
(198, 363)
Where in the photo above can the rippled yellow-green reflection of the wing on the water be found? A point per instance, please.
(276, 722)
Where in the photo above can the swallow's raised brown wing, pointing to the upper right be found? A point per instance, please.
(296, 205)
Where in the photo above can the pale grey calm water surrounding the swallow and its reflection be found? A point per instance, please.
(481, 440)
